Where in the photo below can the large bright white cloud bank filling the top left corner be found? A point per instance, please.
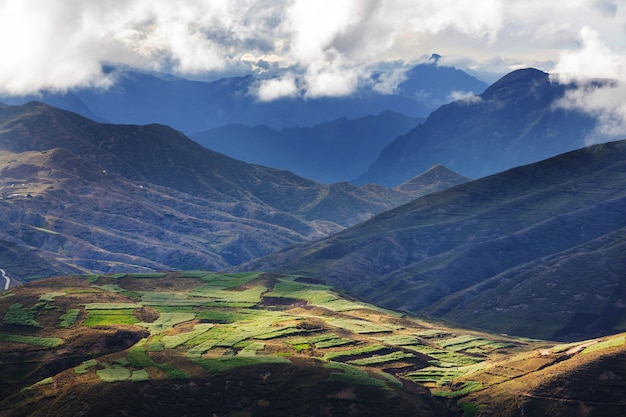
(59, 45)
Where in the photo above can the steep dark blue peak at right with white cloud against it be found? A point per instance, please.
(514, 122)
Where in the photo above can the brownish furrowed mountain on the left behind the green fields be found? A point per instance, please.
(99, 197)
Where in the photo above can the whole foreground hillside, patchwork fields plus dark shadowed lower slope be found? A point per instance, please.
(254, 344)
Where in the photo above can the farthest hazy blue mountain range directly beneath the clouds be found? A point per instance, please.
(196, 106)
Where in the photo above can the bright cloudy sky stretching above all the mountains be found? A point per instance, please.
(312, 48)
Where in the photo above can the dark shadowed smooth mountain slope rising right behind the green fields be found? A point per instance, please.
(536, 251)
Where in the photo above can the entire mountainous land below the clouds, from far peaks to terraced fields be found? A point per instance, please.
(140, 265)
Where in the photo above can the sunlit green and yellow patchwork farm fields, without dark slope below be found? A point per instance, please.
(175, 328)
